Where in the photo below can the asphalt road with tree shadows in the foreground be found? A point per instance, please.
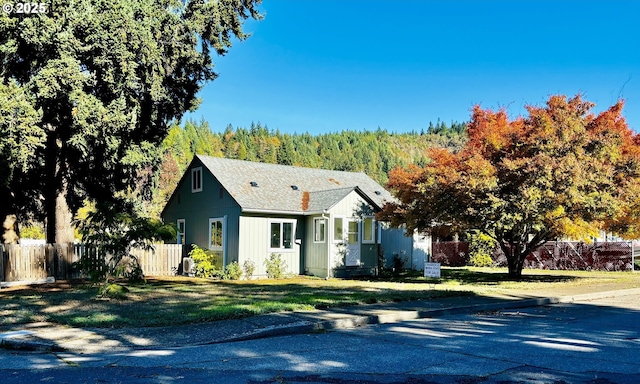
(596, 342)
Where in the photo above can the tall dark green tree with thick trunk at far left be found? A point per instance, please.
(88, 90)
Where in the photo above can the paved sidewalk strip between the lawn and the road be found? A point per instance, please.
(53, 337)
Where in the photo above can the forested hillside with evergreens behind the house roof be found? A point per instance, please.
(372, 152)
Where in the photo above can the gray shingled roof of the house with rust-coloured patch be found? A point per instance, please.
(317, 189)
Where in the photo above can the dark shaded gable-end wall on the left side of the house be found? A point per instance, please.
(196, 208)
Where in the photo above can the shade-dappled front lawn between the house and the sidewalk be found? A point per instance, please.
(170, 301)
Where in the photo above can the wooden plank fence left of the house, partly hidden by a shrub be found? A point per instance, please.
(38, 261)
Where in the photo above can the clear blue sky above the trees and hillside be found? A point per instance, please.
(331, 65)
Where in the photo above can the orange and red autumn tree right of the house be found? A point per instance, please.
(560, 172)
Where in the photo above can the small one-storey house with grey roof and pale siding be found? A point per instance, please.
(321, 222)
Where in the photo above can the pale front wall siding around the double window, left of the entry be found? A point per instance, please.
(254, 240)
